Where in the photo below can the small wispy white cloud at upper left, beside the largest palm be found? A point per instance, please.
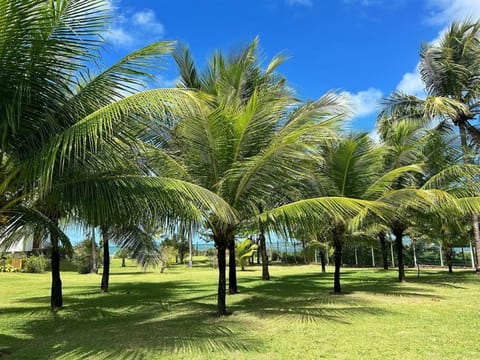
(129, 30)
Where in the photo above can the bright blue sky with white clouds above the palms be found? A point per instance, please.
(363, 48)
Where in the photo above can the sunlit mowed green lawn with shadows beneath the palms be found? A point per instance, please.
(172, 316)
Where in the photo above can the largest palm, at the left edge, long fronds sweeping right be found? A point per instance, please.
(69, 139)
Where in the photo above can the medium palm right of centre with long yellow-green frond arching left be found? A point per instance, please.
(348, 184)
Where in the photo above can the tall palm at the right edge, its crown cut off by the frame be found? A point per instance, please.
(450, 70)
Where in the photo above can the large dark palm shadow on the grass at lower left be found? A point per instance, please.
(134, 321)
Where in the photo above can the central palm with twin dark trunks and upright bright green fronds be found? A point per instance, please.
(250, 144)
